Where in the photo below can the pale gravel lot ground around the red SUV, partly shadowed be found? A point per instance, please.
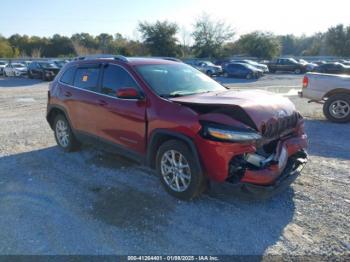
(93, 203)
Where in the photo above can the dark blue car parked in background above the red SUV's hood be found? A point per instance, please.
(242, 70)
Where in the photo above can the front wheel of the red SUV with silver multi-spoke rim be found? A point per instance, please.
(179, 171)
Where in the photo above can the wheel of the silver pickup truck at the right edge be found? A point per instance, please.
(337, 108)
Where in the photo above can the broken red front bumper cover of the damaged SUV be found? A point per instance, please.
(217, 159)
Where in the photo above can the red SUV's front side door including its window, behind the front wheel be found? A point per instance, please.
(122, 121)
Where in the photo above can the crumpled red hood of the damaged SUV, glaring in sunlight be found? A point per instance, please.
(260, 106)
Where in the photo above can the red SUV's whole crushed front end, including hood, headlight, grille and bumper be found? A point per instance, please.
(251, 143)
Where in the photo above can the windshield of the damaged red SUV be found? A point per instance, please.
(172, 80)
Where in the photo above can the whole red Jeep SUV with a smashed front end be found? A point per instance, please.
(180, 122)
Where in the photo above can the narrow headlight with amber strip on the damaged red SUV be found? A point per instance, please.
(229, 134)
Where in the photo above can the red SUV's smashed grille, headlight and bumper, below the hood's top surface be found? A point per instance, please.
(259, 160)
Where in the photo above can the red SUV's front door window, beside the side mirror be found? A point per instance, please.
(114, 78)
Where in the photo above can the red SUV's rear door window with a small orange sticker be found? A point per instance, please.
(87, 78)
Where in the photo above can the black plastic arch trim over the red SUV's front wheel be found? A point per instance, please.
(158, 137)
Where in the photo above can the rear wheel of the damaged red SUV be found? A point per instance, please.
(63, 134)
